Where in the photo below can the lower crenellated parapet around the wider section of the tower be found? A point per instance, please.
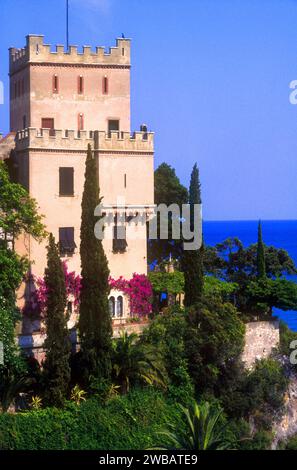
(31, 138)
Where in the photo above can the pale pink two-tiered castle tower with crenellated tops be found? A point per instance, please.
(60, 102)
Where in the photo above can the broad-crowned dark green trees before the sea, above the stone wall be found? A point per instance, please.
(231, 262)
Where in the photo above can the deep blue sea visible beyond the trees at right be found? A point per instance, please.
(278, 233)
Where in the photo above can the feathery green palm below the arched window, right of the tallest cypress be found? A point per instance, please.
(135, 361)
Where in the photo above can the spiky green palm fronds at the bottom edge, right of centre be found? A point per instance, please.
(203, 431)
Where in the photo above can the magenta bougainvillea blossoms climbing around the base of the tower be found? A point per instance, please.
(138, 289)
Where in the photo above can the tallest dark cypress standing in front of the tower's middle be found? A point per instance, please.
(95, 325)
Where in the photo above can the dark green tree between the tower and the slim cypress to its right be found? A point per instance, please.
(168, 190)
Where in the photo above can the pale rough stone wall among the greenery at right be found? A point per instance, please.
(260, 339)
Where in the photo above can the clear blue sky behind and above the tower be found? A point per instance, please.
(210, 77)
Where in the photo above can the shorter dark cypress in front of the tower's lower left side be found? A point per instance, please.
(57, 343)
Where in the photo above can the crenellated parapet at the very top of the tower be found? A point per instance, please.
(36, 51)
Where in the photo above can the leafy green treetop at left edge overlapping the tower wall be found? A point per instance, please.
(18, 211)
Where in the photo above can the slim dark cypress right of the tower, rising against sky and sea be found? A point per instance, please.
(192, 260)
